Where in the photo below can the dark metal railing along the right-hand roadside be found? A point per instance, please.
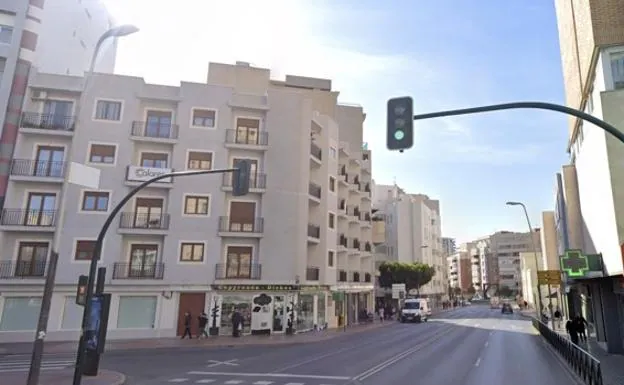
(584, 364)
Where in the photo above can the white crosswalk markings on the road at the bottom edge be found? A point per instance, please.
(225, 378)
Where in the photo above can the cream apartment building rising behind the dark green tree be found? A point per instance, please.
(413, 232)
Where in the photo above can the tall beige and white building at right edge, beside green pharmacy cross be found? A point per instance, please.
(591, 36)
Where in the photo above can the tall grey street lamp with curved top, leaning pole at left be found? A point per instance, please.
(42, 324)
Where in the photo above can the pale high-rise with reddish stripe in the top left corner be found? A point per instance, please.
(55, 36)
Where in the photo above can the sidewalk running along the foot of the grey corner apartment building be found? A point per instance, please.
(212, 342)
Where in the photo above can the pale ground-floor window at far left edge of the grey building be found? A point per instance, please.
(20, 313)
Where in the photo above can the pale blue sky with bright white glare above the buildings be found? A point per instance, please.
(445, 54)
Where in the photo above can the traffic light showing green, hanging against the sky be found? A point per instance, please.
(400, 130)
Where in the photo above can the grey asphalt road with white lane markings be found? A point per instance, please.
(468, 346)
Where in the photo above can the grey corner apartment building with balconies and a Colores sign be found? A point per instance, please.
(301, 237)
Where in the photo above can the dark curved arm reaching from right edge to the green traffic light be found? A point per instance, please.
(524, 105)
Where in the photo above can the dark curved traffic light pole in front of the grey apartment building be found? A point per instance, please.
(80, 356)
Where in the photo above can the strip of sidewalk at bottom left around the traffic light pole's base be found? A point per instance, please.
(65, 377)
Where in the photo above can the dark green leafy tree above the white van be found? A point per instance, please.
(413, 275)
